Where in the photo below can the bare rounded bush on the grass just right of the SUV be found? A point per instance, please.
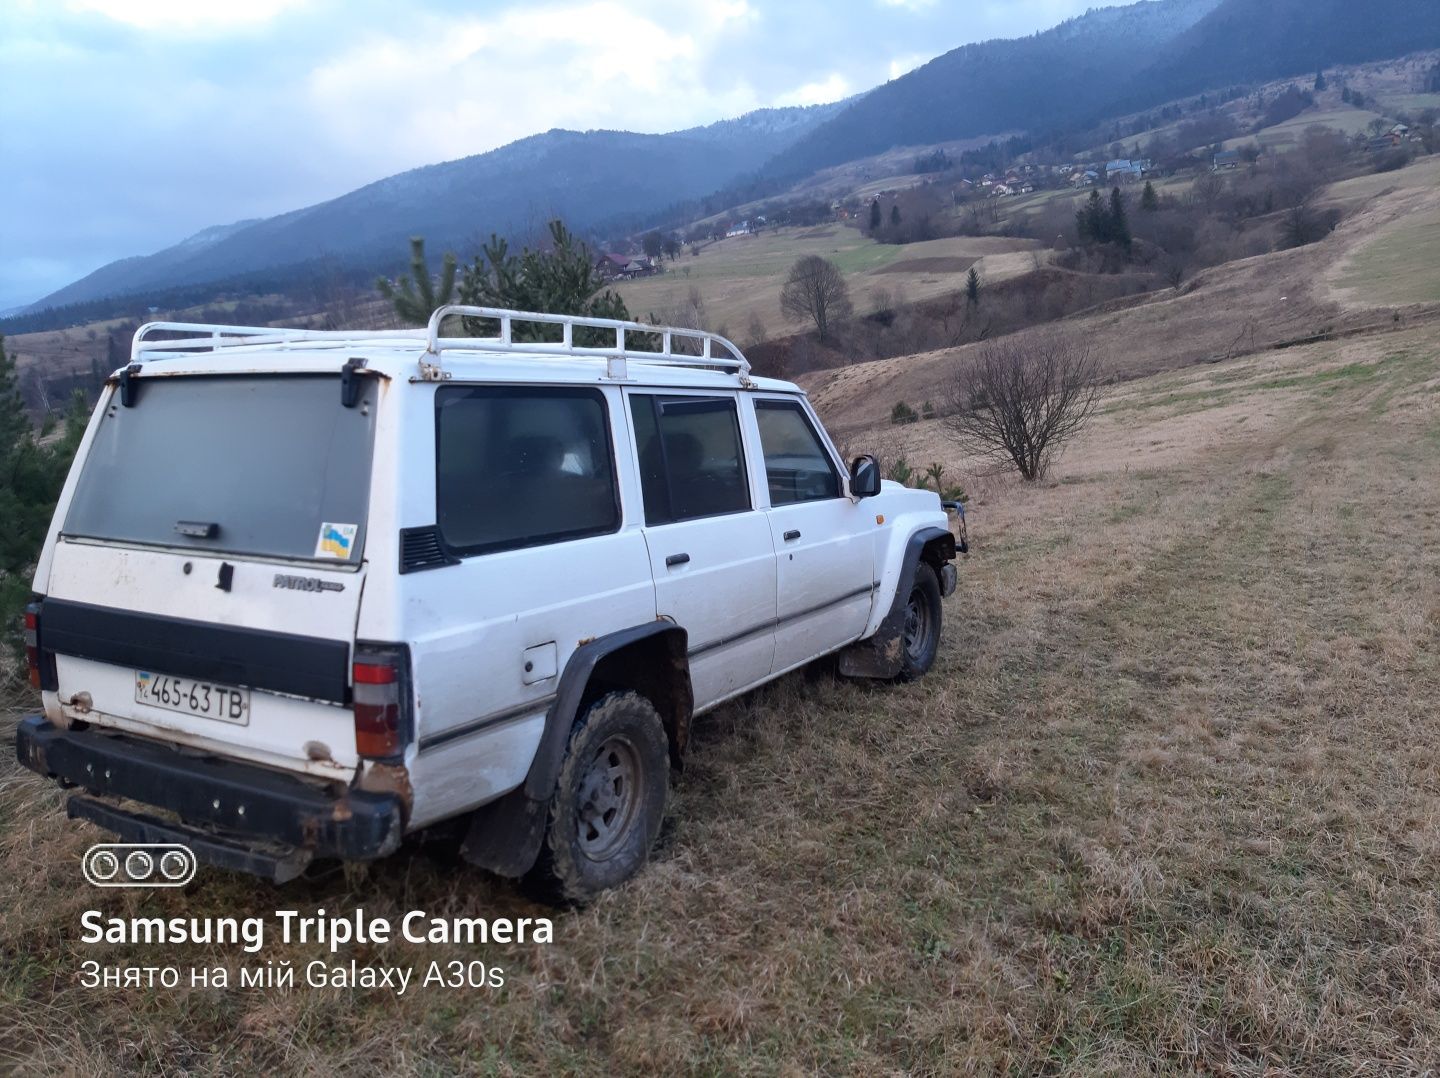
(1022, 399)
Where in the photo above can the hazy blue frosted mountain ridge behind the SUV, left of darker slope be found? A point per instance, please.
(509, 189)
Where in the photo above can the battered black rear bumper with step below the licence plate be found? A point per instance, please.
(224, 804)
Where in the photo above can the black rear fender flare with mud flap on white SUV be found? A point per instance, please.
(505, 837)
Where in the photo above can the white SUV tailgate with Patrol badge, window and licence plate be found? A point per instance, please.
(211, 563)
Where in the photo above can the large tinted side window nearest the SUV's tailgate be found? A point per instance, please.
(518, 467)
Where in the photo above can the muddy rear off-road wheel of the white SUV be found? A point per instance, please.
(608, 804)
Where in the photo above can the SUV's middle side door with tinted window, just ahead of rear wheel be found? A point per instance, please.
(711, 551)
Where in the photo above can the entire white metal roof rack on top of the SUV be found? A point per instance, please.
(199, 338)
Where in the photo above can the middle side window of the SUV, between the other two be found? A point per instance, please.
(690, 460)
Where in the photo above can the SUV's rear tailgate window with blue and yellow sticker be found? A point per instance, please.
(264, 466)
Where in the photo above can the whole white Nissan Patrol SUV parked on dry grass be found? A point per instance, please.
(310, 592)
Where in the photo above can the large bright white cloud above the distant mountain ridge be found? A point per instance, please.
(489, 81)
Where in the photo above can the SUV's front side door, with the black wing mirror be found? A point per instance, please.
(824, 542)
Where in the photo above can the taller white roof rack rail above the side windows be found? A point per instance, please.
(616, 356)
